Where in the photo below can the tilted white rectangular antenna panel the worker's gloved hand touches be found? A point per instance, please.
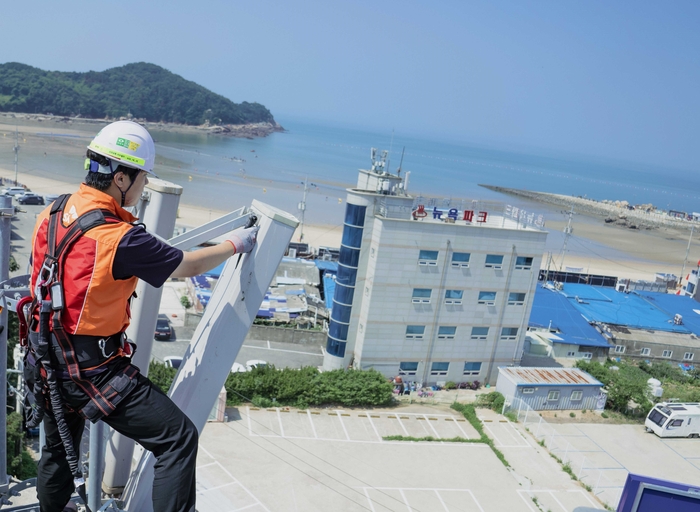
(219, 336)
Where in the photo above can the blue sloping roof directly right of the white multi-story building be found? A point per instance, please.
(550, 306)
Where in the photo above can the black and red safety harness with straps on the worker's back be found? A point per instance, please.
(53, 354)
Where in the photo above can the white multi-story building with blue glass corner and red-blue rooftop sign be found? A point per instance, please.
(433, 292)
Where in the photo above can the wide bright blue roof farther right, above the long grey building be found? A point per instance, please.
(633, 310)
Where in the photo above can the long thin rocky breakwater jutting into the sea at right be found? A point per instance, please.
(619, 213)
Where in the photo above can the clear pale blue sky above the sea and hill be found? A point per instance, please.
(615, 80)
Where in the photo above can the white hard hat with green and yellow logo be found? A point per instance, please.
(127, 143)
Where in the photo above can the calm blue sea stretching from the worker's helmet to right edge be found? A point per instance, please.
(329, 156)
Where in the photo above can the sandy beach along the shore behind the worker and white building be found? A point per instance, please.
(594, 247)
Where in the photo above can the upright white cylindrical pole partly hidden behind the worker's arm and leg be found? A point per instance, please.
(158, 211)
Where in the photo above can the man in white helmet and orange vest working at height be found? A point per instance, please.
(97, 278)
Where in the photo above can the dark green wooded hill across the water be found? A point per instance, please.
(145, 91)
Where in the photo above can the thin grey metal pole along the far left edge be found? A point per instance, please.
(5, 230)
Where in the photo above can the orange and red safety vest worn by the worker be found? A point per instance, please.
(95, 303)
